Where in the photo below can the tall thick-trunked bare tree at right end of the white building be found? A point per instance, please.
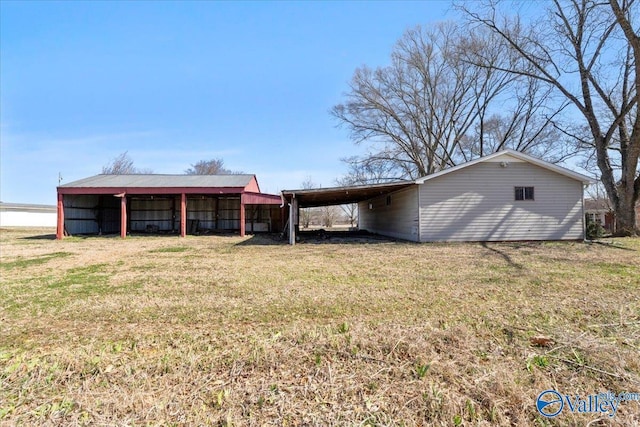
(588, 53)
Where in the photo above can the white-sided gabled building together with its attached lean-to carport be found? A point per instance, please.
(504, 196)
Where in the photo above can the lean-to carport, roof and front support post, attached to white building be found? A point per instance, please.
(316, 197)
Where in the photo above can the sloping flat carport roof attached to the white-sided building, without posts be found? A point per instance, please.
(342, 195)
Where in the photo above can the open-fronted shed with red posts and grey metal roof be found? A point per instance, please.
(106, 204)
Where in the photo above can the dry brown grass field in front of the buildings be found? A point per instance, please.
(237, 331)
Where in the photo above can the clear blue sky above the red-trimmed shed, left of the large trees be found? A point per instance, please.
(177, 82)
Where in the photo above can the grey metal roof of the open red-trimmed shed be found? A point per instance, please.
(160, 181)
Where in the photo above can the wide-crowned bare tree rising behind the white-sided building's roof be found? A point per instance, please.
(418, 115)
